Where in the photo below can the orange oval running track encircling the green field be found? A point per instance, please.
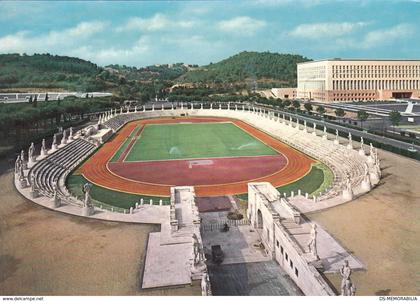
(97, 171)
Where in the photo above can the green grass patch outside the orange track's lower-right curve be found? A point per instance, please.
(318, 179)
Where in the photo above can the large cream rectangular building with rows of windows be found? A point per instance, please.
(340, 80)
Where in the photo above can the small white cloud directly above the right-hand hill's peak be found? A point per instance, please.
(243, 25)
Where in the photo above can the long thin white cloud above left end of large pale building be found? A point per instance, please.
(325, 30)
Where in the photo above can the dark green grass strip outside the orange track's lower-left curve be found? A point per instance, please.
(107, 196)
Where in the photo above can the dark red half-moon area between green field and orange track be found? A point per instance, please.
(212, 171)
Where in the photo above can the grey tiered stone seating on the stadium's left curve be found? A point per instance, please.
(54, 168)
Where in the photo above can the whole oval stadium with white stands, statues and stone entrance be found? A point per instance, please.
(178, 165)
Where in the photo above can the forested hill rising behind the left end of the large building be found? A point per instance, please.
(260, 67)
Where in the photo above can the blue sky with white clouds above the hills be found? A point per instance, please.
(146, 33)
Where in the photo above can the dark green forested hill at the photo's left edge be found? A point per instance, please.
(47, 71)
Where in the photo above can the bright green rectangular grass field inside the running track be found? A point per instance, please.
(195, 140)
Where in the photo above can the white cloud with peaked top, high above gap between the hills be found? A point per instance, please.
(155, 23)
